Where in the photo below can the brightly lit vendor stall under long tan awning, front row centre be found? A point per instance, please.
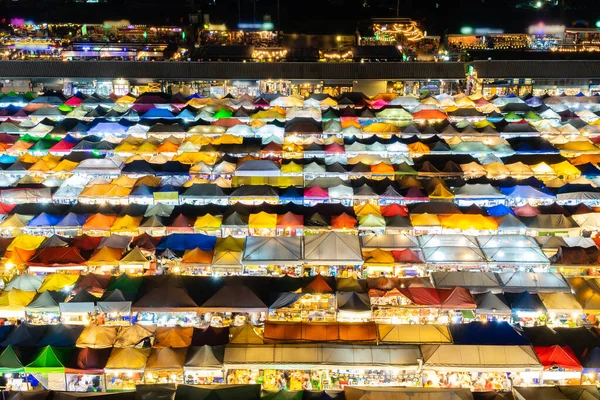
(305, 366)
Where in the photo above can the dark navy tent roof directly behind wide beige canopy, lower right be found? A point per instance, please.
(489, 333)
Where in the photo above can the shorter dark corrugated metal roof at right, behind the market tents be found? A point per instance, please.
(538, 69)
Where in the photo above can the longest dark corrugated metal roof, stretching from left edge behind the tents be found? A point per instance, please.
(230, 70)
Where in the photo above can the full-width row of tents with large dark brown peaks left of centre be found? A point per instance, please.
(484, 293)
